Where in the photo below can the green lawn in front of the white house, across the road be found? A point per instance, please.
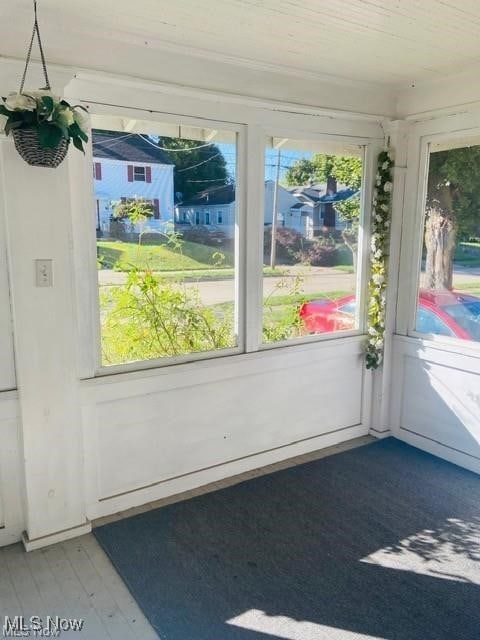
(192, 256)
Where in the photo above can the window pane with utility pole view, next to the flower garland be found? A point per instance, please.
(312, 210)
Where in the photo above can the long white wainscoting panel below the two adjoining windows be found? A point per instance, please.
(149, 430)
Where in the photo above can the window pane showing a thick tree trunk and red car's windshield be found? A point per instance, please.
(449, 292)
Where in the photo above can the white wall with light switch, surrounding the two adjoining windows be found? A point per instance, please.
(92, 445)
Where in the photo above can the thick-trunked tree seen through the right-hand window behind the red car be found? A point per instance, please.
(451, 211)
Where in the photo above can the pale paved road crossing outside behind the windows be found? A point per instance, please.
(313, 280)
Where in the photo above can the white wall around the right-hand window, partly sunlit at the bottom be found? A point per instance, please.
(435, 383)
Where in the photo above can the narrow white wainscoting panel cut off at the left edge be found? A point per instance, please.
(11, 497)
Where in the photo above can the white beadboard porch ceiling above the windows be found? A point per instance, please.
(396, 43)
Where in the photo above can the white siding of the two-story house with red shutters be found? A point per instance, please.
(114, 185)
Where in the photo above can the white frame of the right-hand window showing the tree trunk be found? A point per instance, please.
(414, 226)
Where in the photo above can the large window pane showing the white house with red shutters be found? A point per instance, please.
(165, 215)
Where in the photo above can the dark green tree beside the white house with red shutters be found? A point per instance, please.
(197, 166)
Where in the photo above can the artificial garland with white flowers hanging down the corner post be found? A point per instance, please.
(378, 261)
